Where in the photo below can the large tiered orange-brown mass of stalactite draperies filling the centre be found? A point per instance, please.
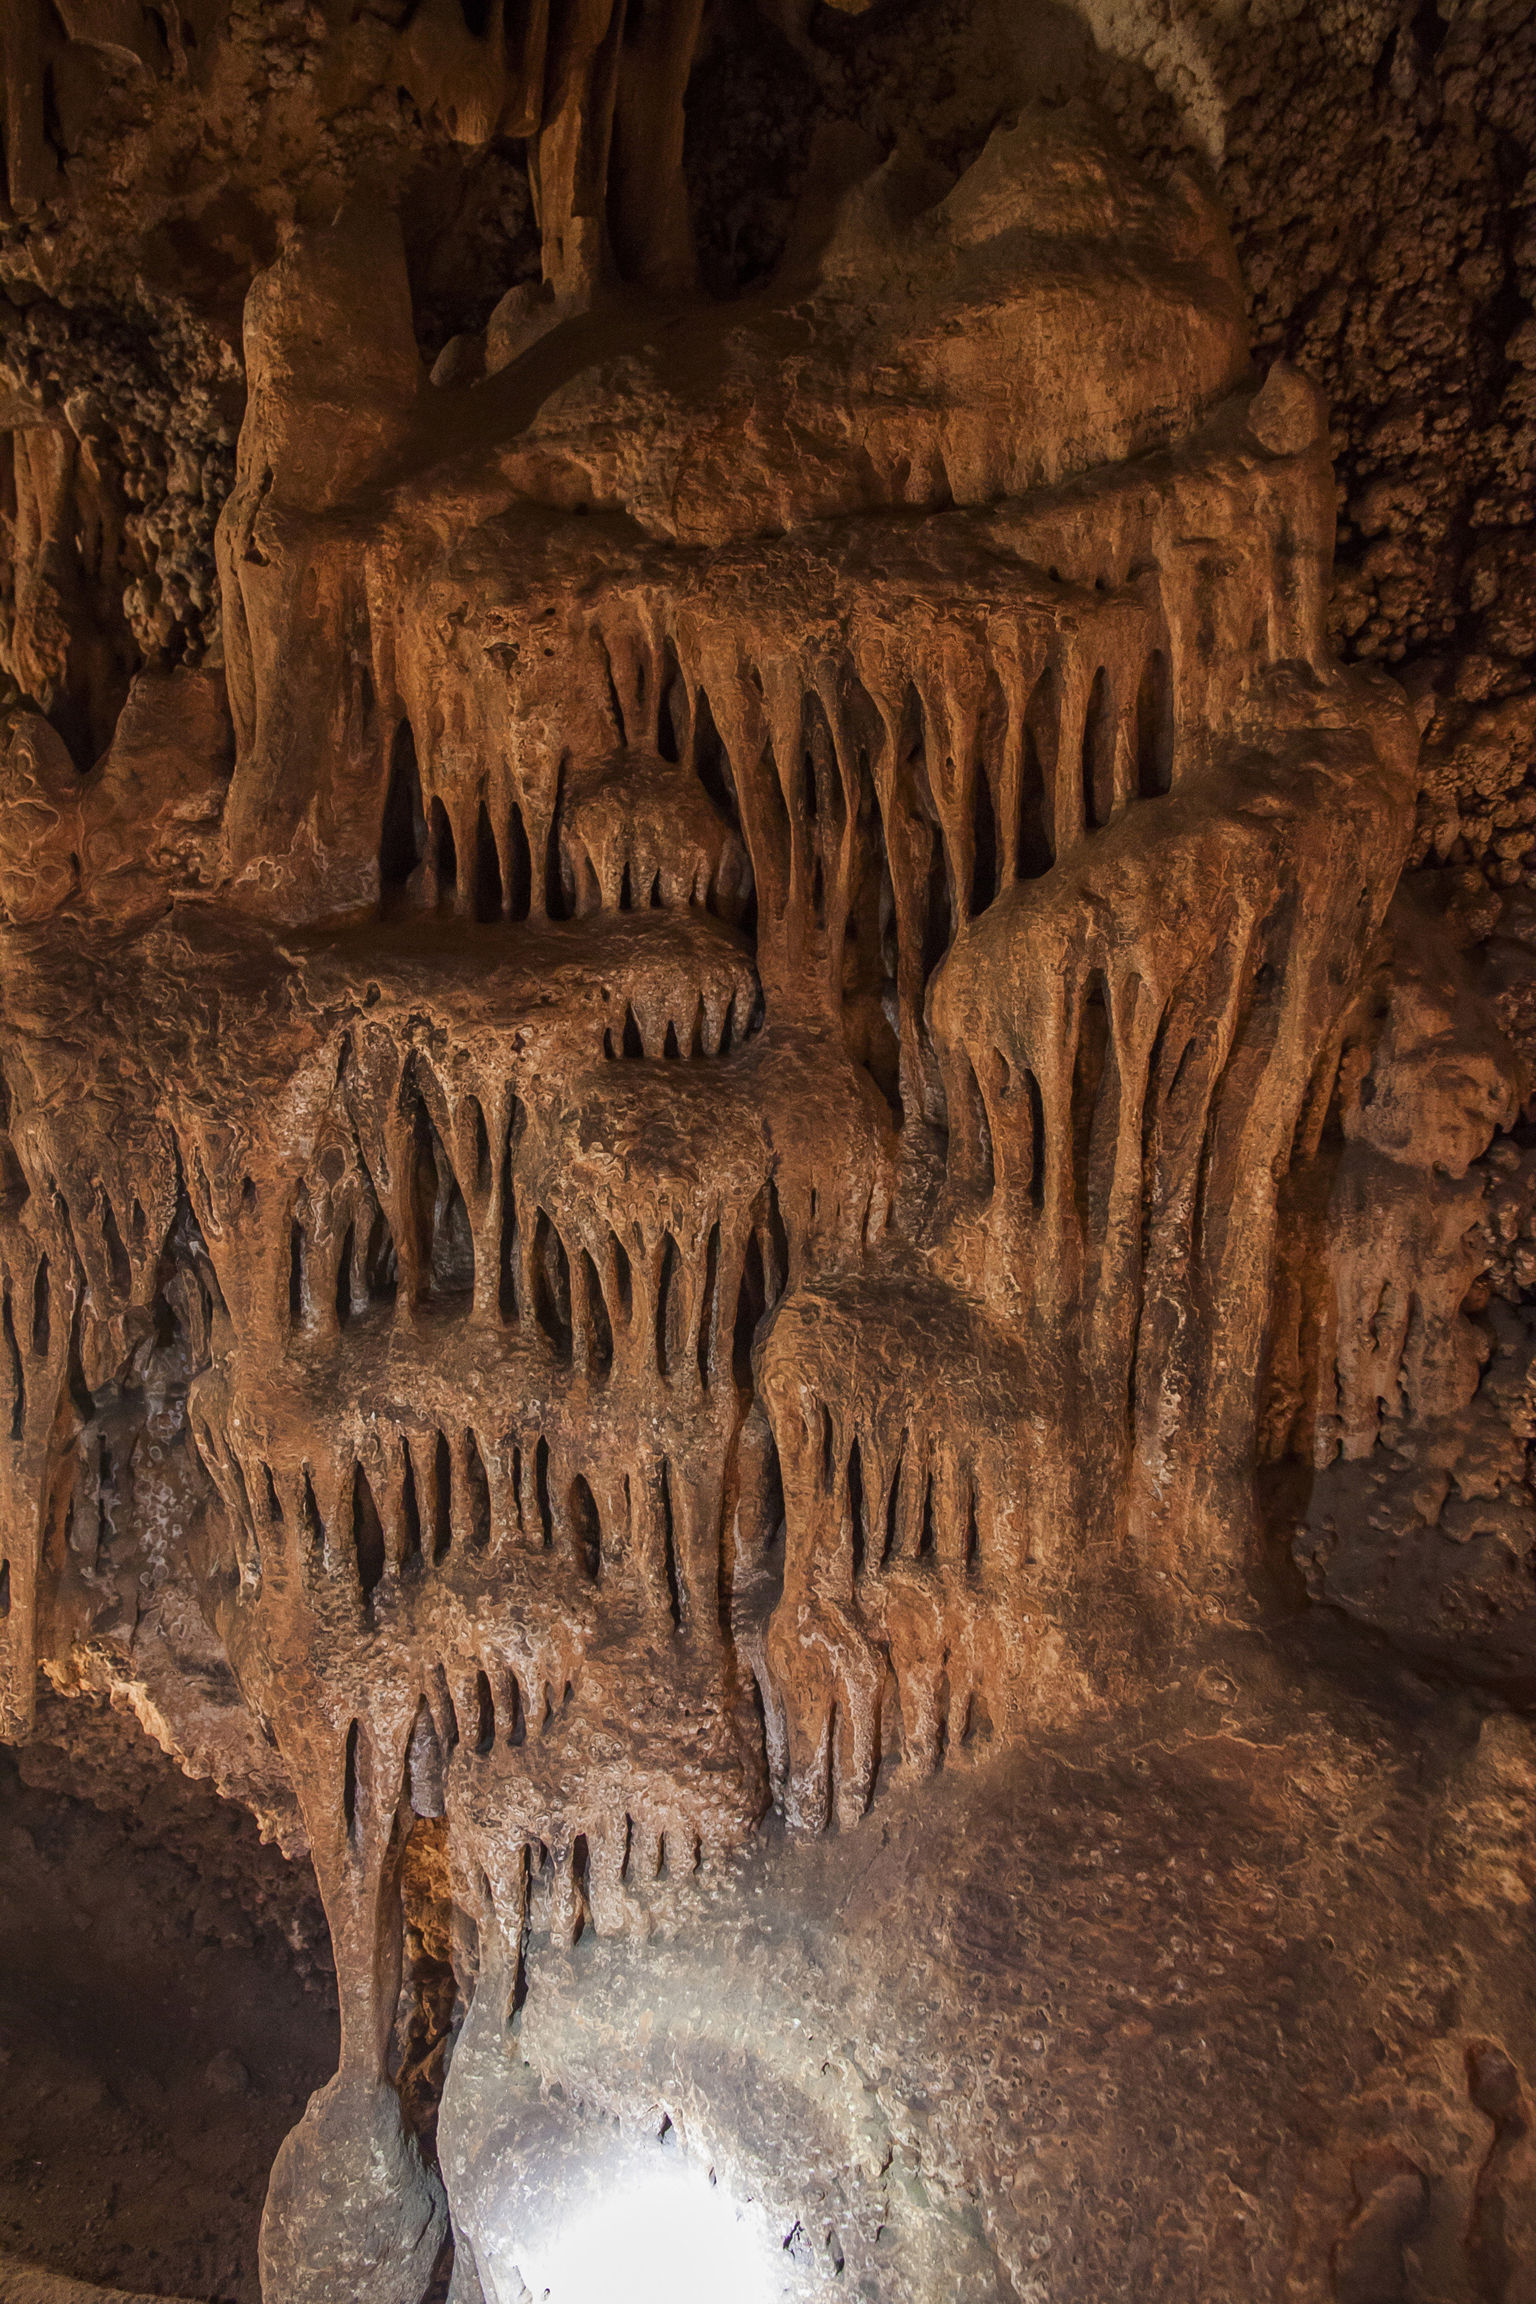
(710, 1165)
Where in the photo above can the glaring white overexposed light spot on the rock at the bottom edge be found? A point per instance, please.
(667, 2238)
